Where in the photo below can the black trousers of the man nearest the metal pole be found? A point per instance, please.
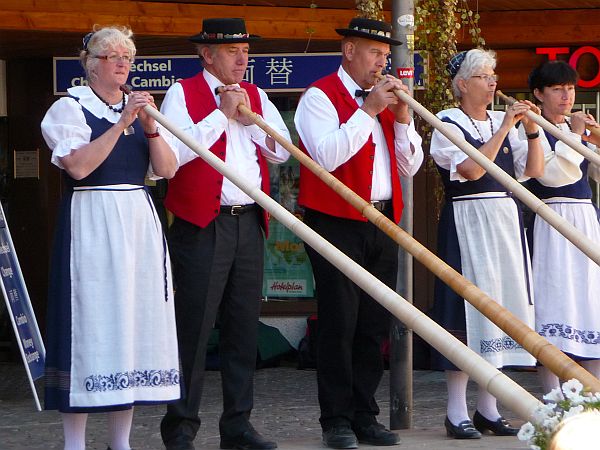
(351, 325)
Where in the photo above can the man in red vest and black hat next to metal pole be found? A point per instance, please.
(353, 124)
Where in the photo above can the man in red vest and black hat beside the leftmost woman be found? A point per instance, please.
(216, 241)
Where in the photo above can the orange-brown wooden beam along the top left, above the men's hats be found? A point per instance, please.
(169, 19)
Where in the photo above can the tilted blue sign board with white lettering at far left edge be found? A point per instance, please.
(19, 308)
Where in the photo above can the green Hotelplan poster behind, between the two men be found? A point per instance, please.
(287, 268)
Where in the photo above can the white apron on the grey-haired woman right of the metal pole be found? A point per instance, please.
(489, 236)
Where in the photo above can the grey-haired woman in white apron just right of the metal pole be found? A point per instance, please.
(480, 234)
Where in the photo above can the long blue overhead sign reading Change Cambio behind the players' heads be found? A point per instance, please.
(292, 72)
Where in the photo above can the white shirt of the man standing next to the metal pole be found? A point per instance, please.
(331, 144)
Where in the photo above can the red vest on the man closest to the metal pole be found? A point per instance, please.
(357, 172)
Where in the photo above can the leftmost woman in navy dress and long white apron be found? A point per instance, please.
(111, 340)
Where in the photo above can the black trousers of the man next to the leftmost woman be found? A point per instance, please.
(216, 269)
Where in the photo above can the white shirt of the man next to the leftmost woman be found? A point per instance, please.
(241, 140)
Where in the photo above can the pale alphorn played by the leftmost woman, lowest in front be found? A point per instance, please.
(498, 384)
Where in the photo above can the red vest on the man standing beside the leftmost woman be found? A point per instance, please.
(194, 192)
